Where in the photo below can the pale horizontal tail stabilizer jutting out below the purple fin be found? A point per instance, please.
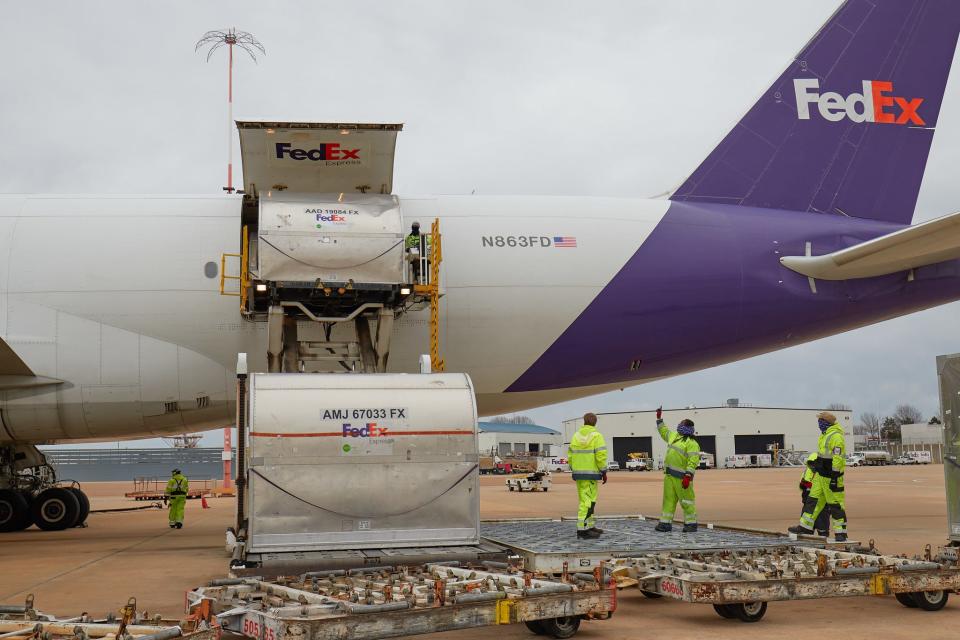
(927, 243)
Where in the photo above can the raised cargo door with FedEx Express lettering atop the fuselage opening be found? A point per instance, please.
(317, 157)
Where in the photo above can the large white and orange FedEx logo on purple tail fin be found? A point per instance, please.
(875, 104)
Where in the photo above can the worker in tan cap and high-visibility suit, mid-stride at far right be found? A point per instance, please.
(827, 492)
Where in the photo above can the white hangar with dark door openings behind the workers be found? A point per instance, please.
(723, 431)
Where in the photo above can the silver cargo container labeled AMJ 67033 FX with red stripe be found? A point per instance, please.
(357, 461)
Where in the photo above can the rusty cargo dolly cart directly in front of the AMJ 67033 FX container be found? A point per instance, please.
(385, 602)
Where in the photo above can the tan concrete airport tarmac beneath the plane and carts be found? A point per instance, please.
(134, 554)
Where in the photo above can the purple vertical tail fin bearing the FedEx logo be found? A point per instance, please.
(846, 129)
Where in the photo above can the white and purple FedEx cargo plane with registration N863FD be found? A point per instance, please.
(796, 226)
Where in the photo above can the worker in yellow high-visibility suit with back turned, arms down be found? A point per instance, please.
(587, 456)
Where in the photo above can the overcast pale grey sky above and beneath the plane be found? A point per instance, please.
(601, 98)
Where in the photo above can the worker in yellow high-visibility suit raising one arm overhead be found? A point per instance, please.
(679, 465)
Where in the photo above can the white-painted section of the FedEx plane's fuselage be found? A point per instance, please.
(115, 296)
